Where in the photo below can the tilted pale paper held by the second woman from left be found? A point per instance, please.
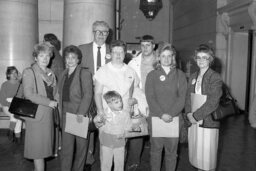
(75, 128)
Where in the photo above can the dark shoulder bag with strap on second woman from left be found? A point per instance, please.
(92, 112)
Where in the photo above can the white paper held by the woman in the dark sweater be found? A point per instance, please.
(163, 129)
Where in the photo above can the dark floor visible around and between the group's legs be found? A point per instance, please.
(237, 151)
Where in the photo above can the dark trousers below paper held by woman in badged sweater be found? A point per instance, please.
(170, 145)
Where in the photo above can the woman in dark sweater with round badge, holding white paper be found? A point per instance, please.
(165, 92)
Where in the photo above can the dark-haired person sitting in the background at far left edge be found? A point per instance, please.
(9, 89)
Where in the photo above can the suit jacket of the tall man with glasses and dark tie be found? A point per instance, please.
(87, 52)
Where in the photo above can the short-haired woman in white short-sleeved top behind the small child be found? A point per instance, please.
(115, 76)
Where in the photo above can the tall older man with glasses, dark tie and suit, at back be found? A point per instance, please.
(95, 54)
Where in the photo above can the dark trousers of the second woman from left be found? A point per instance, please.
(74, 148)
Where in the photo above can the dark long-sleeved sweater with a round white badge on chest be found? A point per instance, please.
(165, 93)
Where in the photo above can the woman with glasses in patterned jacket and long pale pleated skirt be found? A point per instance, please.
(204, 92)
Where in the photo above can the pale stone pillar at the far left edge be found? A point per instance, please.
(18, 34)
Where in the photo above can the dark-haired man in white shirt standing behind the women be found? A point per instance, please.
(142, 64)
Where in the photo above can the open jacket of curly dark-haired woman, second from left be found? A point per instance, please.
(80, 100)
